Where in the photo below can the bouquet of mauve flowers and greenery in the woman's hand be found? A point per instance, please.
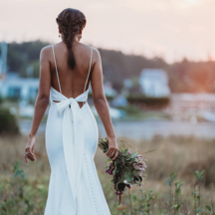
(127, 169)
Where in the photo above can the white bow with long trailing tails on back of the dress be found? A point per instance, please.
(73, 137)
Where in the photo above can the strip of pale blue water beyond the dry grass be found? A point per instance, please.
(146, 129)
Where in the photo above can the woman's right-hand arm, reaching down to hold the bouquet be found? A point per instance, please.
(101, 104)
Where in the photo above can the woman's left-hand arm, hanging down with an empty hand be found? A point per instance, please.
(41, 103)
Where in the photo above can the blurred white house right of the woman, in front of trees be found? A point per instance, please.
(154, 83)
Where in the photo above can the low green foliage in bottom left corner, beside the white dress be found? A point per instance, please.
(19, 196)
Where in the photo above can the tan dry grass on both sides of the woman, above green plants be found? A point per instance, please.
(180, 155)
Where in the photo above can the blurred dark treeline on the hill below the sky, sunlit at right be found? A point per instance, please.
(184, 76)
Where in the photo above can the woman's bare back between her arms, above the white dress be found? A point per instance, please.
(72, 82)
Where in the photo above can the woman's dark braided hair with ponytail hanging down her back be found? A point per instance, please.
(71, 21)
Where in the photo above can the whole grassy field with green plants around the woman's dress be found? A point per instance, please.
(26, 194)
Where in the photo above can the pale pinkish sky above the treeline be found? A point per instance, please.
(172, 29)
